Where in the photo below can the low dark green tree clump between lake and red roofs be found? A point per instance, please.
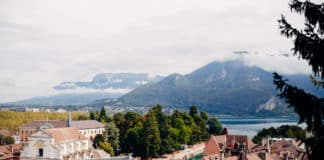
(284, 131)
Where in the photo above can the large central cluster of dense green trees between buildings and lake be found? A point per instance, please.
(157, 133)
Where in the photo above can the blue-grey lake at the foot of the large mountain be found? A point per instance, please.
(251, 126)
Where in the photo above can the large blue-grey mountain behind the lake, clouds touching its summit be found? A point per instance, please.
(220, 87)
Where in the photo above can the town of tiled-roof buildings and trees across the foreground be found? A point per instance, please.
(100, 136)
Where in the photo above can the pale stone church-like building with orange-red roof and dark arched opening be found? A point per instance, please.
(57, 143)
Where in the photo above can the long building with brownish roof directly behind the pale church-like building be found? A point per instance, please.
(89, 128)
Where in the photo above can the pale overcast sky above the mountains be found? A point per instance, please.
(44, 43)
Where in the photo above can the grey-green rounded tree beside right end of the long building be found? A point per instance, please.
(112, 135)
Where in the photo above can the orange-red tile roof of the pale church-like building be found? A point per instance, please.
(62, 135)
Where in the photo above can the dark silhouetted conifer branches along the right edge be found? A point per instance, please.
(308, 45)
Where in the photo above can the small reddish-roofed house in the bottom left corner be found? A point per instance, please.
(10, 152)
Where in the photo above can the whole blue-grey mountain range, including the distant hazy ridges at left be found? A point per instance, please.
(229, 87)
